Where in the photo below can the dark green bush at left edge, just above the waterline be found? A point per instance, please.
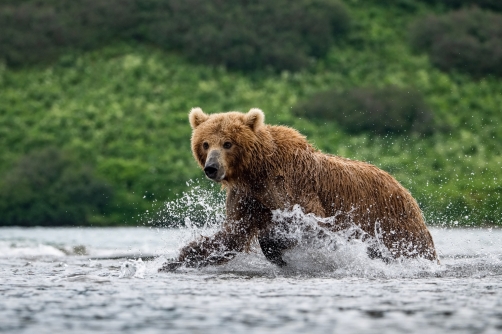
(48, 188)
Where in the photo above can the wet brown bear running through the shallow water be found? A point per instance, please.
(266, 168)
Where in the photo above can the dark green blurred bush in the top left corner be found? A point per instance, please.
(33, 32)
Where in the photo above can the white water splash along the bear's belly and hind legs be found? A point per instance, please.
(320, 251)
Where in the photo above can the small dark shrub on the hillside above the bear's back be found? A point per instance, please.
(380, 111)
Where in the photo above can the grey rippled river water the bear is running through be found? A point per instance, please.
(57, 280)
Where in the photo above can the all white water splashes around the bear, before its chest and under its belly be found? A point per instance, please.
(317, 251)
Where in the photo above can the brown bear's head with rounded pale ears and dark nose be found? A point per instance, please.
(226, 144)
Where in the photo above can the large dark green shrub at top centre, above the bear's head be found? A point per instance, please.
(247, 35)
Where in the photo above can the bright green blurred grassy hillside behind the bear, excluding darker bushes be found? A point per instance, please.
(123, 109)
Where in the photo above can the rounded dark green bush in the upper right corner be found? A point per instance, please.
(468, 40)
